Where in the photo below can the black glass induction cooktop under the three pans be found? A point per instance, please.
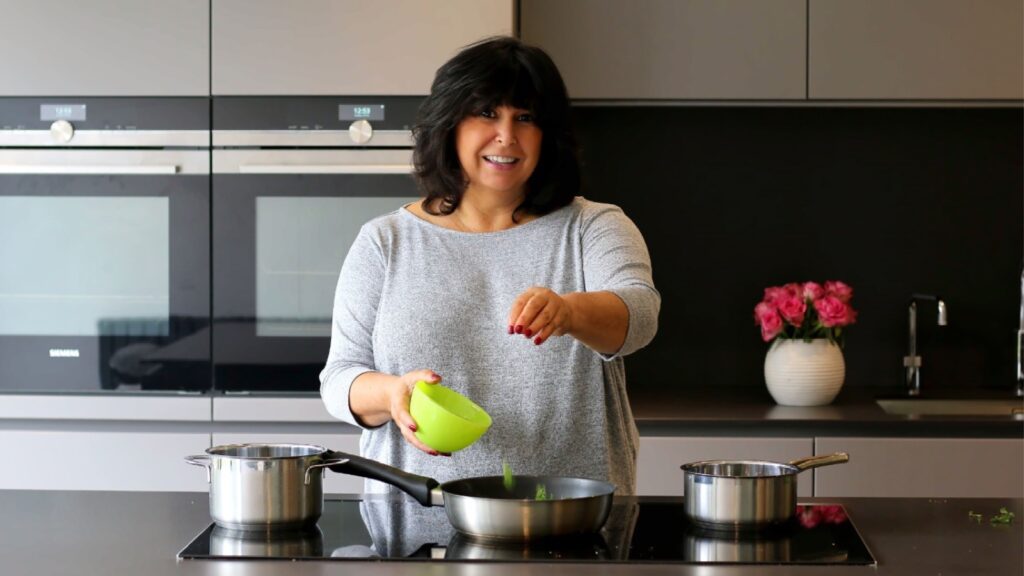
(637, 531)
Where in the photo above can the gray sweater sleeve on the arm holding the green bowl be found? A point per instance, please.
(356, 303)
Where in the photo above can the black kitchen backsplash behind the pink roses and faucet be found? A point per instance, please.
(890, 200)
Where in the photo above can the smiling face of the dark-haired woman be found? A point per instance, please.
(499, 150)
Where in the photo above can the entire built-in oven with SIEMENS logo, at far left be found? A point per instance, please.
(105, 252)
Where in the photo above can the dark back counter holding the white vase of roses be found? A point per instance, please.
(739, 412)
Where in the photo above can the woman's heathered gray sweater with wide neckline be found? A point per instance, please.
(415, 296)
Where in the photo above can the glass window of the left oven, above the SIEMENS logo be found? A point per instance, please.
(84, 266)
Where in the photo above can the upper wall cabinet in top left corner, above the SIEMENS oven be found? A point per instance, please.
(105, 48)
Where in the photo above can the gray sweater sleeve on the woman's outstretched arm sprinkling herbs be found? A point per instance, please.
(616, 260)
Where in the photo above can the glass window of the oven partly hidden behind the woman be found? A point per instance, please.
(301, 246)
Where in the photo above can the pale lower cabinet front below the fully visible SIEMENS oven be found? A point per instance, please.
(42, 460)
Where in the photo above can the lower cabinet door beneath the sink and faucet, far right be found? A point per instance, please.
(923, 468)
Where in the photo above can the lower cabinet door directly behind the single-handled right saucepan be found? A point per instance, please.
(660, 459)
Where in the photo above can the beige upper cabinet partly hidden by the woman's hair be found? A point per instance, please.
(319, 48)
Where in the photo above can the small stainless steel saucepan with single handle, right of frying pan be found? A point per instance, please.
(746, 495)
